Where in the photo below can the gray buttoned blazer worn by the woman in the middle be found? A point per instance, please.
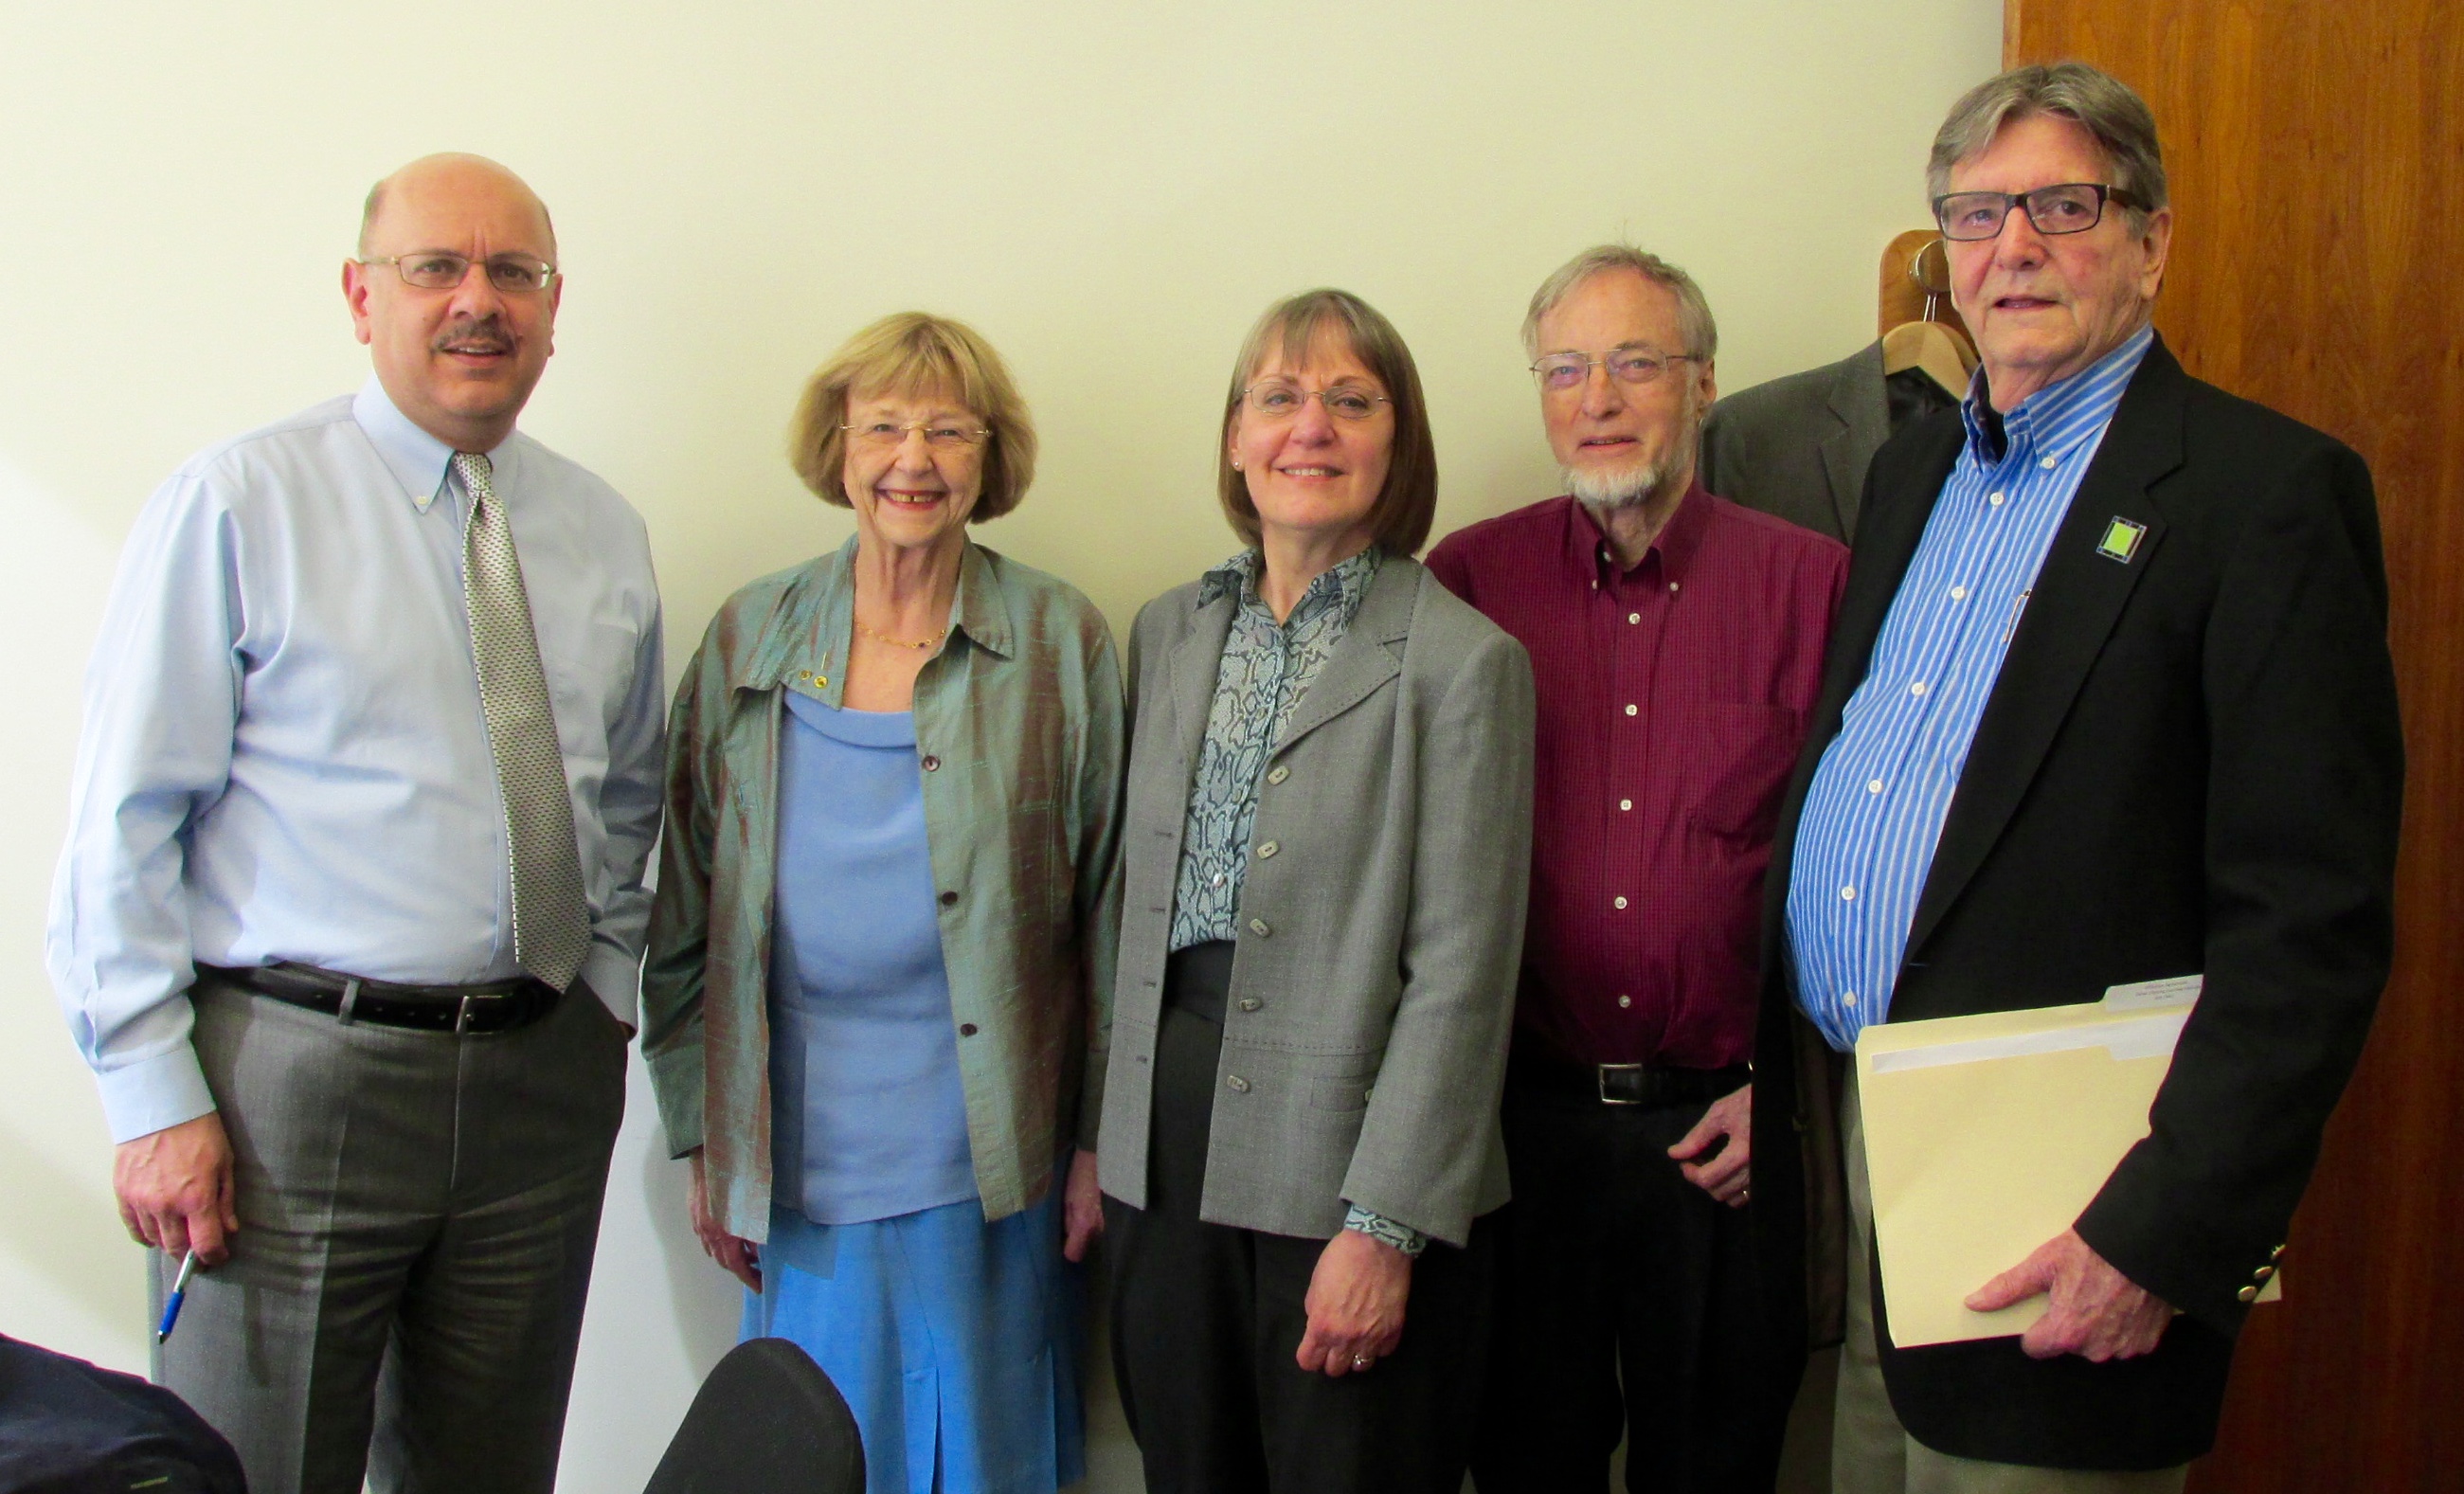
(1374, 980)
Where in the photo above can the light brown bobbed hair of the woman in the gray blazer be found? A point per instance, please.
(1408, 502)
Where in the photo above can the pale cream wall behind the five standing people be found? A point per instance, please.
(1108, 191)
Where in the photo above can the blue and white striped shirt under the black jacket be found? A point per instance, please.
(1876, 807)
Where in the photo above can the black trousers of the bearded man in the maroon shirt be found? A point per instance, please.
(1615, 1271)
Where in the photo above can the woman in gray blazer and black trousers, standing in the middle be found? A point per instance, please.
(1324, 859)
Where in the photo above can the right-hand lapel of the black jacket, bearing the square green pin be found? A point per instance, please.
(2073, 608)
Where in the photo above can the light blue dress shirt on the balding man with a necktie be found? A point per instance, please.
(285, 753)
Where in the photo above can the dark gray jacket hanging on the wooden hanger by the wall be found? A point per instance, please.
(1797, 447)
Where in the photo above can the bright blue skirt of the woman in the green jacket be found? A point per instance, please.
(955, 1342)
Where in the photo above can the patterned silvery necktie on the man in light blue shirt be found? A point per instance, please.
(551, 921)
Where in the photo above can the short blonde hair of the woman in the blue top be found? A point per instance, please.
(915, 356)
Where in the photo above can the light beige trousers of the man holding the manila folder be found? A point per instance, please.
(1871, 1453)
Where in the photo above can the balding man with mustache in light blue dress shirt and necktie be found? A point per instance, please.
(339, 1066)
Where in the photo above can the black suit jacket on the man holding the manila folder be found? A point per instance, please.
(2189, 765)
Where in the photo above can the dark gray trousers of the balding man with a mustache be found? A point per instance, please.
(418, 1217)
